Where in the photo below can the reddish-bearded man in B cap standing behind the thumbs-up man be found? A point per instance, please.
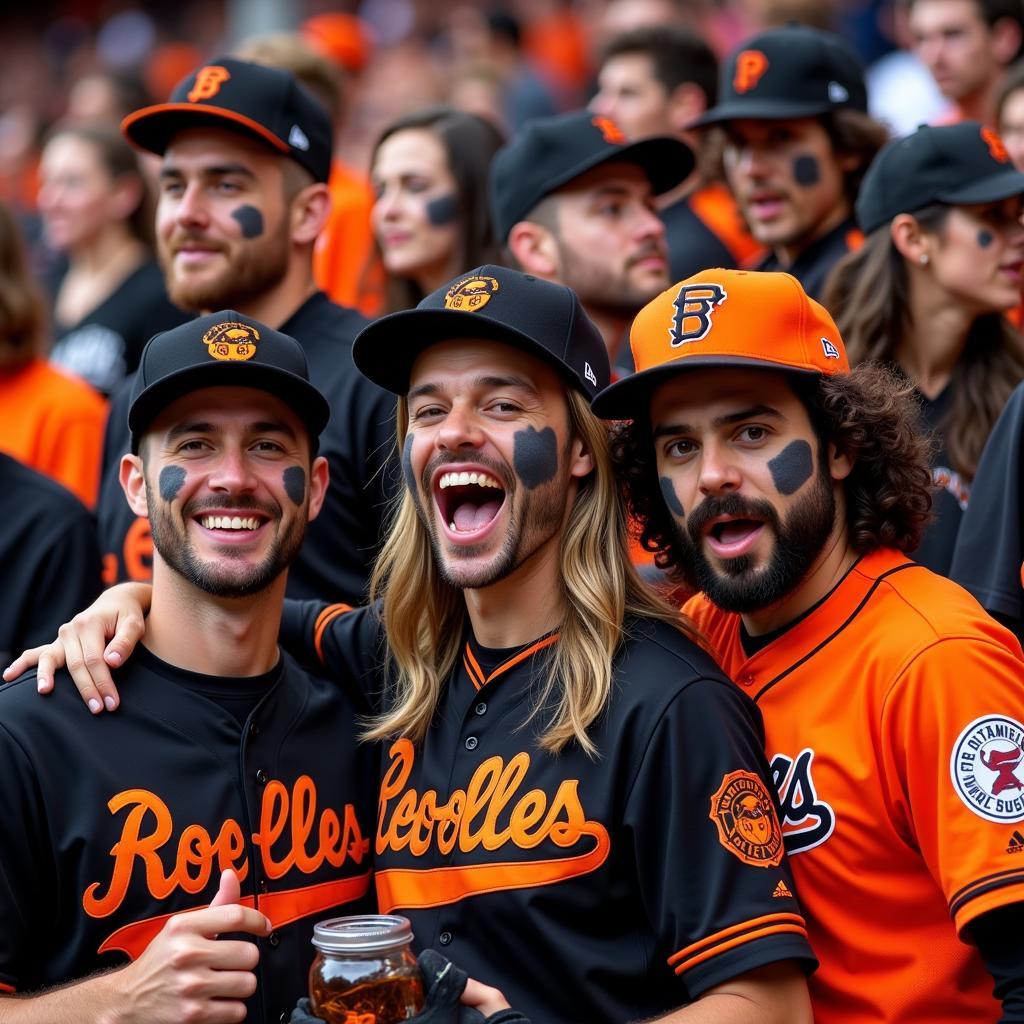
(246, 153)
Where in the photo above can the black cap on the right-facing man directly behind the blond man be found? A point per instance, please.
(549, 153)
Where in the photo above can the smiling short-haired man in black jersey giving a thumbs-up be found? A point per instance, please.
(119, 828)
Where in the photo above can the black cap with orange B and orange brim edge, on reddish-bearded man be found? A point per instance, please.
(267, 104)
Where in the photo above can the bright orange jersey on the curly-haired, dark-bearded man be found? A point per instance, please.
(893, 718)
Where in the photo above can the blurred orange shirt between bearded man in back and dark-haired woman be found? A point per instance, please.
(346, 262)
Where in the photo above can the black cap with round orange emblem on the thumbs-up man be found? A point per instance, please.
(224, 350)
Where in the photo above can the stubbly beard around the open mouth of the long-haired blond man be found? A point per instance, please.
(530, 528)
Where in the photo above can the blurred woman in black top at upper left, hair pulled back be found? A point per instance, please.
(109, 300)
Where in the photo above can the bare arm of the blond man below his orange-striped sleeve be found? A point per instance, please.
(774, 995)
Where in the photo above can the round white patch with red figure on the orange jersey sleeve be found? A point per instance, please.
(987, 771)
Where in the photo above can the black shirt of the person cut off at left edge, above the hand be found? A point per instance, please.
(50, 554)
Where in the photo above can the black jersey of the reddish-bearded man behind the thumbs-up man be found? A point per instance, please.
(342, 543)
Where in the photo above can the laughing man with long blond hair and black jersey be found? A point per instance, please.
(574, 802)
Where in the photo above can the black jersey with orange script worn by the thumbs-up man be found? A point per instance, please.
(117, 822)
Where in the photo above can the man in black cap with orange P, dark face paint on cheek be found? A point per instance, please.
(797, 142)
